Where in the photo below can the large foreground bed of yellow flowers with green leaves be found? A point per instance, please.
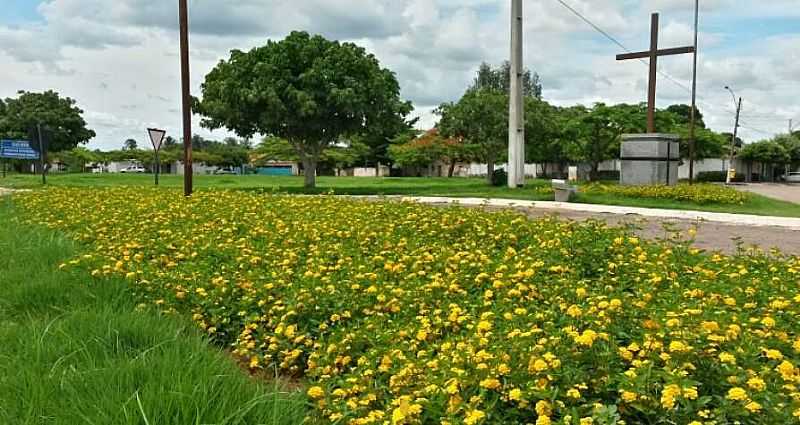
(398, 313)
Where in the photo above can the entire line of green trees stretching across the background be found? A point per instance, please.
(329, 105)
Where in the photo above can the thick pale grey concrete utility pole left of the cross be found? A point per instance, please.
(516, 122)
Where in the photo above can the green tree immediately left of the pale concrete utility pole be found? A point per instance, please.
(480, 119)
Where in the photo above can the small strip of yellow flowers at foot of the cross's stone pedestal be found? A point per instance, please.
(699, 193)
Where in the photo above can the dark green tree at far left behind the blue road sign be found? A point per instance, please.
(59, 117)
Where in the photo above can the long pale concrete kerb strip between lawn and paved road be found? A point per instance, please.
(724, 218)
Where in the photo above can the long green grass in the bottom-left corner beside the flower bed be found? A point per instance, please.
(77, 351)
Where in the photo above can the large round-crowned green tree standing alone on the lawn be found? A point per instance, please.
(305, 89)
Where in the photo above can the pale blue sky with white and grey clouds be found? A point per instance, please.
(120, 61)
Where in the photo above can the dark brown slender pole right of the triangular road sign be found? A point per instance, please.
(183, 13)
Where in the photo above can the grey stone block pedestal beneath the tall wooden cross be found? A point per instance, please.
(649, 159)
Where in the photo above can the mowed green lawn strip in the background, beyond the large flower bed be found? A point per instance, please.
(536, 190)
